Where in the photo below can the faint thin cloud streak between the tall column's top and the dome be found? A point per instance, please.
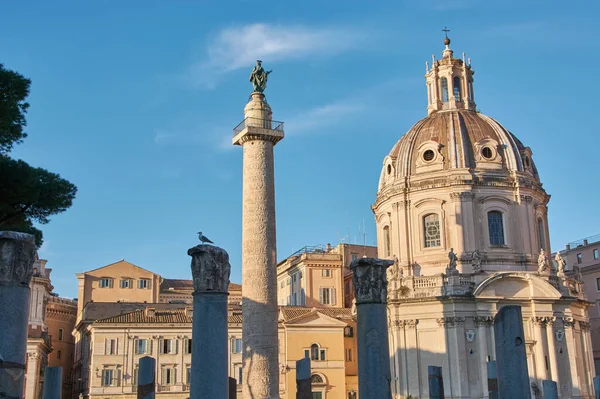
(321, 117)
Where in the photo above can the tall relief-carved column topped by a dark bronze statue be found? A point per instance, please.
(257, 134)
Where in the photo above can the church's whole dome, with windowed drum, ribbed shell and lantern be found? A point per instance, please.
(459, 183)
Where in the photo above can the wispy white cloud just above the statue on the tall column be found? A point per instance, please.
(239, 47)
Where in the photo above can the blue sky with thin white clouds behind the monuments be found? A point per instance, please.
(135, 102)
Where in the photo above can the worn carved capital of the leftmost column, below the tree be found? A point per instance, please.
(17, 255)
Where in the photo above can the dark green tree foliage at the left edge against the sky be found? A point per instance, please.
(27, 194)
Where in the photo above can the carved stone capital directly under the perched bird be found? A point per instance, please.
(210, 268)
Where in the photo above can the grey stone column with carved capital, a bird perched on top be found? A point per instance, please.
(210, 270)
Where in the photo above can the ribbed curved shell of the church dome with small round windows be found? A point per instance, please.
(457, 139)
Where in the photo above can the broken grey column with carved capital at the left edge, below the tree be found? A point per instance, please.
(17, 254)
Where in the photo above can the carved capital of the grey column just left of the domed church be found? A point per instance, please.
(369, 279)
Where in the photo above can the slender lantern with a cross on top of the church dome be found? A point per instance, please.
(449, 82)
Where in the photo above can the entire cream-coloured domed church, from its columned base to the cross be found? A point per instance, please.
(461, 209)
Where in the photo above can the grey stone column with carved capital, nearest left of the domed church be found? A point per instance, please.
(370, 291)
